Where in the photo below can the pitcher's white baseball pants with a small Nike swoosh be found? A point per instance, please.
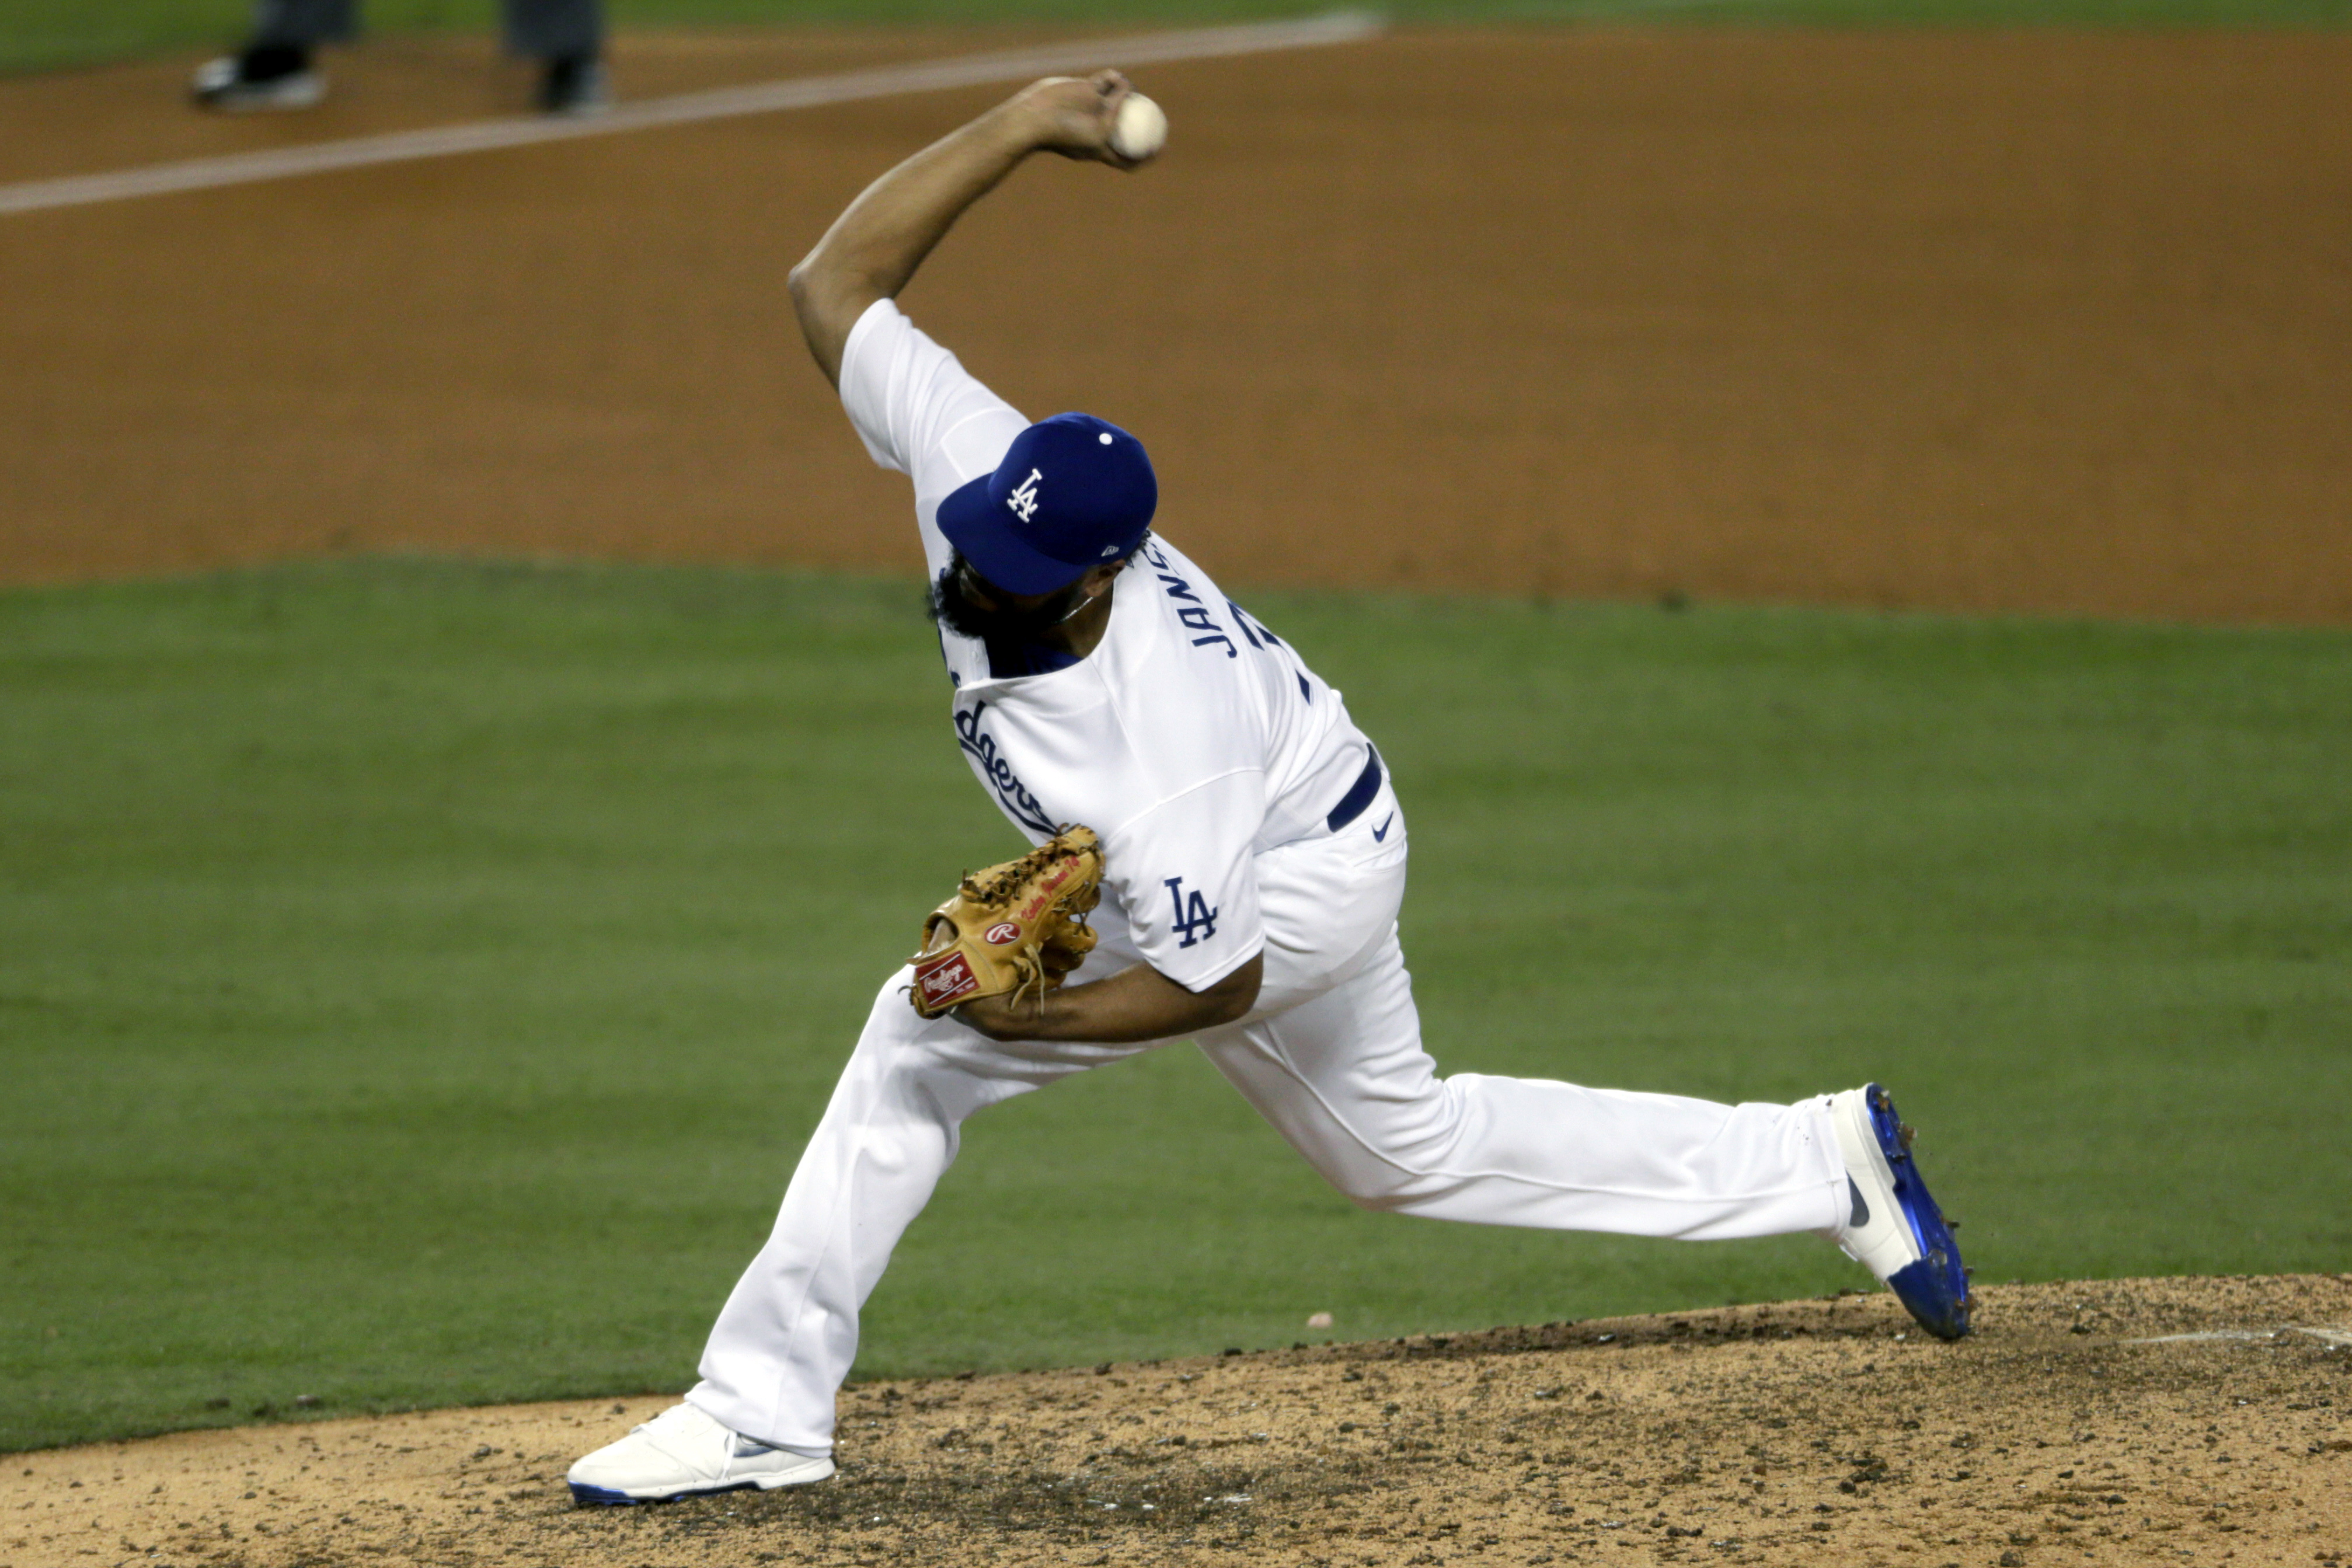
(1332, 1059)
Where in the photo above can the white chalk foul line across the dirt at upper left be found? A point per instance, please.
(688, 109)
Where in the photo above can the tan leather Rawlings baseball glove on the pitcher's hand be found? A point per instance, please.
(1015, 927)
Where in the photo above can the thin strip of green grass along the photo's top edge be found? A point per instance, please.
(48, 34)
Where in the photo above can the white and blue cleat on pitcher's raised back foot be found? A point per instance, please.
(1895, 1228)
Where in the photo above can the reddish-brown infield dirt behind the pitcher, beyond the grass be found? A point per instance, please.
(1967, 321)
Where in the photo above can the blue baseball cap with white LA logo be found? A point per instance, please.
(1071, 492)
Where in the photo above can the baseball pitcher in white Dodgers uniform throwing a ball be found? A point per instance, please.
(1250, 852)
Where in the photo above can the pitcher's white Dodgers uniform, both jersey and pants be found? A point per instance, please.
(1241, 812)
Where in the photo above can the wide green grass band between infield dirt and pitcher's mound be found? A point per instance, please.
(417, 977)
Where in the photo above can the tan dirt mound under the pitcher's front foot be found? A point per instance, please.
(2116, 1423)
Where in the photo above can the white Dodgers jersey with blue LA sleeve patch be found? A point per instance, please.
(1191, 739)
